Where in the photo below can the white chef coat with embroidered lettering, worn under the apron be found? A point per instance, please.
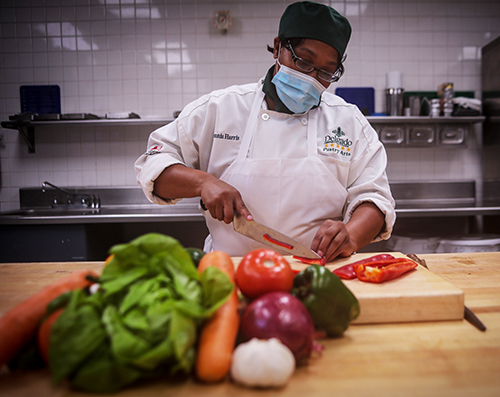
(208, 133)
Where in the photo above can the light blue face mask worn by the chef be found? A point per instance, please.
(298, 91)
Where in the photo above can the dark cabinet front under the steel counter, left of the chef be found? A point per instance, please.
(69, 242)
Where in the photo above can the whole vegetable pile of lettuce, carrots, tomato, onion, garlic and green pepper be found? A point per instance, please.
(159, 310)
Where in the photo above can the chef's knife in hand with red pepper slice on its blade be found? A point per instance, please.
(269, 237)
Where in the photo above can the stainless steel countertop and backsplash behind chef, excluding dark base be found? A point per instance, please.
(128, 204)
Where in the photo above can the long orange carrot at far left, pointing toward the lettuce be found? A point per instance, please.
(20, 323)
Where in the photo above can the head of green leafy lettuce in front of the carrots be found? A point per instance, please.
(142, 322)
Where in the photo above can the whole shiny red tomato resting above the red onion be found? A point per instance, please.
(261, 271)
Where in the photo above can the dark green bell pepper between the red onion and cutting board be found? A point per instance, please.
(330, 303)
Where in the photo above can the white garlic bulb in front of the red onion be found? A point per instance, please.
(262, 363)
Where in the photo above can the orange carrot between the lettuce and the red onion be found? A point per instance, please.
(218, 335)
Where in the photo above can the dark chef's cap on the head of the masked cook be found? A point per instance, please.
(310, 20)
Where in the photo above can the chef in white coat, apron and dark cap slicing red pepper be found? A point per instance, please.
(283, 151)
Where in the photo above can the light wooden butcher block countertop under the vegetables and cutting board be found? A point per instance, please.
(421, 358)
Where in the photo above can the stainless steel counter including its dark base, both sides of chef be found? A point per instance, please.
(44, 229)
